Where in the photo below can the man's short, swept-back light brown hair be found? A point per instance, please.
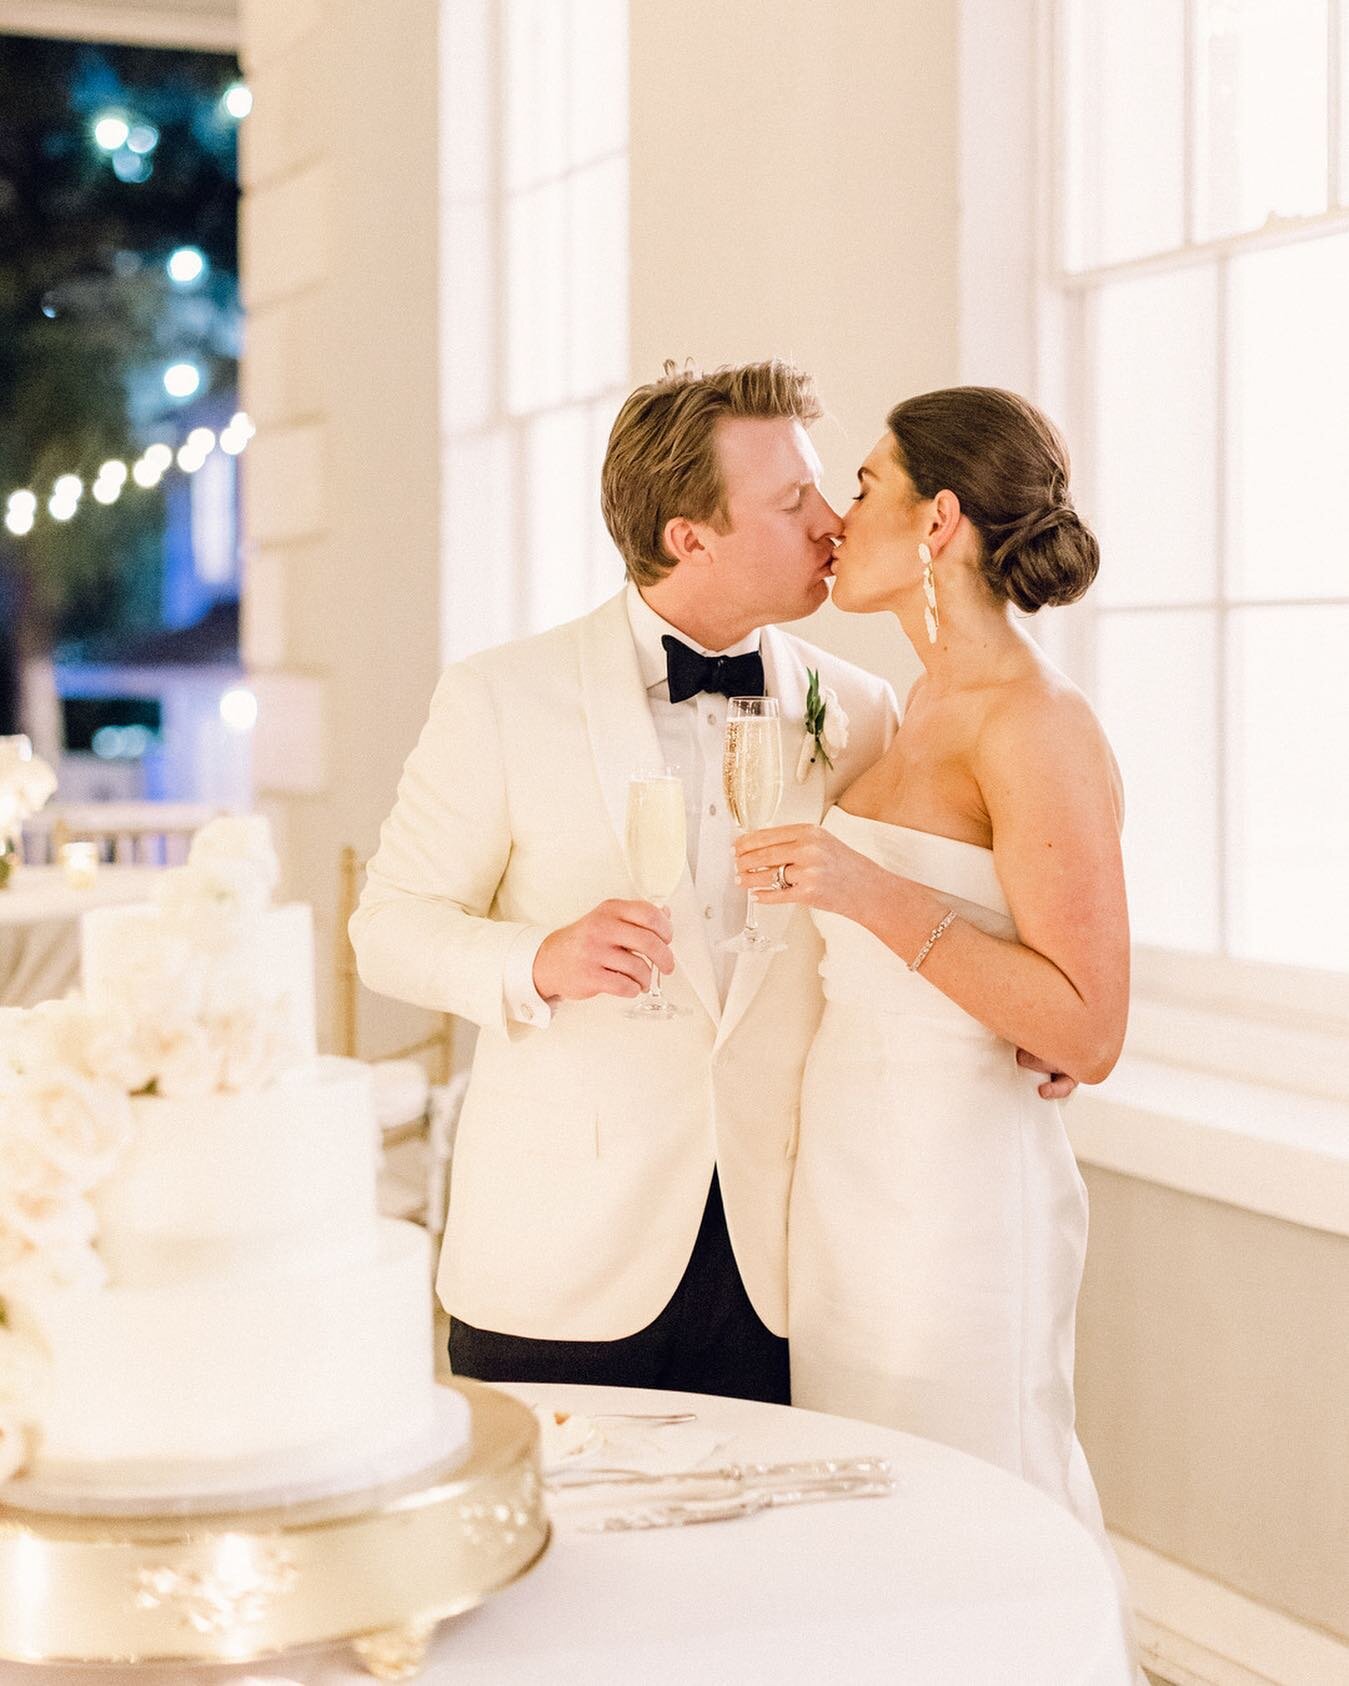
(662, 459)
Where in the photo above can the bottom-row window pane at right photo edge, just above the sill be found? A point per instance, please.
(1289, 802)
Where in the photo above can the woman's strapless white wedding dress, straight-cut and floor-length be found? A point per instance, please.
(938, 1222)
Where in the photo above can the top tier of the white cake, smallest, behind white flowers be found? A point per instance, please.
(137, 958)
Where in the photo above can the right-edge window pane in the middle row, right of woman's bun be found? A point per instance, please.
(1287, 441)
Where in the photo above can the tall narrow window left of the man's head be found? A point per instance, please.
(535, 308)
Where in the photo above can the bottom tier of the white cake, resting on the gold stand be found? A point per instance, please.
(227, 1383)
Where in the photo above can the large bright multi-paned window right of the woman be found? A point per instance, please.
(1203, 262)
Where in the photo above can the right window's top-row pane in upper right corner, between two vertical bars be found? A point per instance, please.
(1260, 112)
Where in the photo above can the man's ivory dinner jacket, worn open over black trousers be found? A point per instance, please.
(586, 1147)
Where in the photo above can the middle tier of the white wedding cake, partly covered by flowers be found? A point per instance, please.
(244, 1184)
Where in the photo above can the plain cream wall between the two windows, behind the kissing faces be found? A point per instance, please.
(795, 195)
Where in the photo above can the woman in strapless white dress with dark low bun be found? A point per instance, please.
(970, 894)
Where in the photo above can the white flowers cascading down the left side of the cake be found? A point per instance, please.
(190, 1024)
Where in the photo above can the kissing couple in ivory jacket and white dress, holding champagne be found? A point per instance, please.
(829, 1179)
